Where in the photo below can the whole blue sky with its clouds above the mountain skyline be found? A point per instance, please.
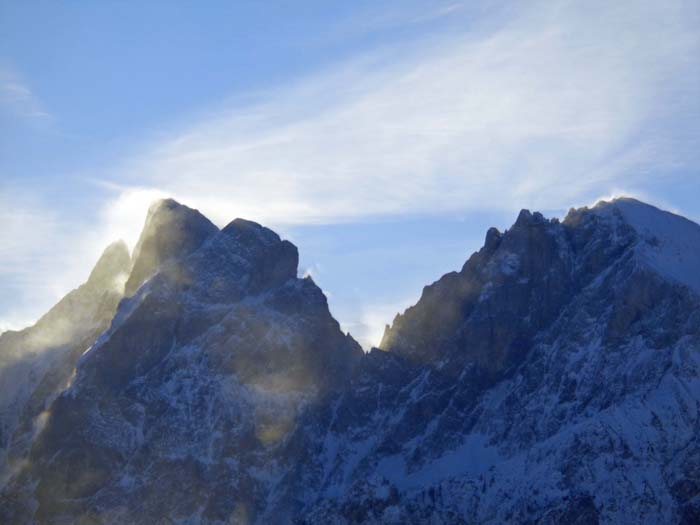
(383, 138)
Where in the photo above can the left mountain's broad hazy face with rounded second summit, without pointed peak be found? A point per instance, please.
(179, 406)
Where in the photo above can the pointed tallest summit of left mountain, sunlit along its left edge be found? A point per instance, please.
(171, 230)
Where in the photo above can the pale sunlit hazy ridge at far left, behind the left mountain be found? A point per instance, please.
(36, 363)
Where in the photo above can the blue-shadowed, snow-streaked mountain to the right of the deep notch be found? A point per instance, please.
(588, 412)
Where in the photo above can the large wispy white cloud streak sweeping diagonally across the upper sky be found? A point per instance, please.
(545, 110)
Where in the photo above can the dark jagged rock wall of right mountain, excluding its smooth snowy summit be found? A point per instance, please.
(516, 285)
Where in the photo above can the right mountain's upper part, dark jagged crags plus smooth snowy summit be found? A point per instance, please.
(516, 269)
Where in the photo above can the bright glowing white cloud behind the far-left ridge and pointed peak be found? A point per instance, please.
(43, 255)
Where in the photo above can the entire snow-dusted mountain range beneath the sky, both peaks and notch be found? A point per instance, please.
(555, 378)
